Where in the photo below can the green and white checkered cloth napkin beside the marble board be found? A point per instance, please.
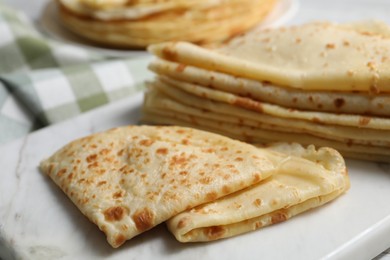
(43, 81)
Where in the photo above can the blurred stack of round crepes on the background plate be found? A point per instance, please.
(129, 23)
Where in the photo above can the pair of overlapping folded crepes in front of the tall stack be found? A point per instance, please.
(206, 186)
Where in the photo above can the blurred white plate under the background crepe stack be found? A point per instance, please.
(50, 25)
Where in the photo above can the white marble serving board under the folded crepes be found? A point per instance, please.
(37, 221)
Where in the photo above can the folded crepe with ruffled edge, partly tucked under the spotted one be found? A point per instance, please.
(307, 180)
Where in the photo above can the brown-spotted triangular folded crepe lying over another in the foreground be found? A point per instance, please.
(129, 179)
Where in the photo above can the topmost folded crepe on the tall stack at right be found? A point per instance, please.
(316, 56)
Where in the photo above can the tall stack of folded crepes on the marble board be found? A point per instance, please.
(320, 83)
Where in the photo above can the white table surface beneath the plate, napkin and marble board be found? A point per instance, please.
(309, 10)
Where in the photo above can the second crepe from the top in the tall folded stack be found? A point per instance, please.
(328, 101)
